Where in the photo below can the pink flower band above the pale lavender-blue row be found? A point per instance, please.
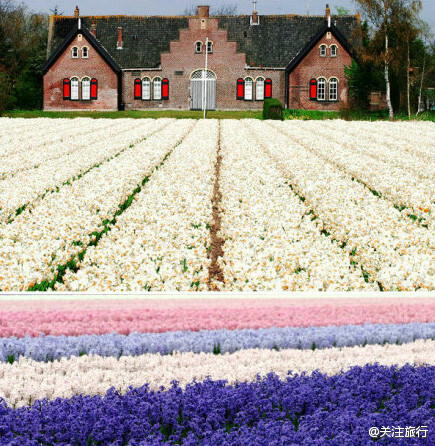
(59, 317)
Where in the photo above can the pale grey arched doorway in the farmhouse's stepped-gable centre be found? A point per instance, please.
(202, 83)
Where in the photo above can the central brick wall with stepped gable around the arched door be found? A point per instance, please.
(225, 62)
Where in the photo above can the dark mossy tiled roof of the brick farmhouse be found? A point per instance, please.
(275, 42)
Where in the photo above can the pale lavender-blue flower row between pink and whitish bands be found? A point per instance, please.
(48, 348)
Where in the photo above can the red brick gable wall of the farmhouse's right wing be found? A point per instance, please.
(315, 66)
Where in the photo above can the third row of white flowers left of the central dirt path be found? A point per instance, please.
(27, 186)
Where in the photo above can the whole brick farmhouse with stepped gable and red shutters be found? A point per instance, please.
(132, 62)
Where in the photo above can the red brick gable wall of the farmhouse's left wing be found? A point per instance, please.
(67, 67)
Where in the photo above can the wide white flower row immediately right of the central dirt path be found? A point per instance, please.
(270, 241)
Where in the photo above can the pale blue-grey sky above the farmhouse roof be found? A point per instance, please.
(177, 7)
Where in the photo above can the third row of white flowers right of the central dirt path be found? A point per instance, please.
(412, 189)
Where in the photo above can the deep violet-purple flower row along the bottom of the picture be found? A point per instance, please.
(308, 410)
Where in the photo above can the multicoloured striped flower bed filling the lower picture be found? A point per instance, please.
(294, 384)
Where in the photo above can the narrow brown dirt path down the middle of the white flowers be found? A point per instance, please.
(215, 273)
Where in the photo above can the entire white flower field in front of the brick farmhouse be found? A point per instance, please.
(165, 204)
